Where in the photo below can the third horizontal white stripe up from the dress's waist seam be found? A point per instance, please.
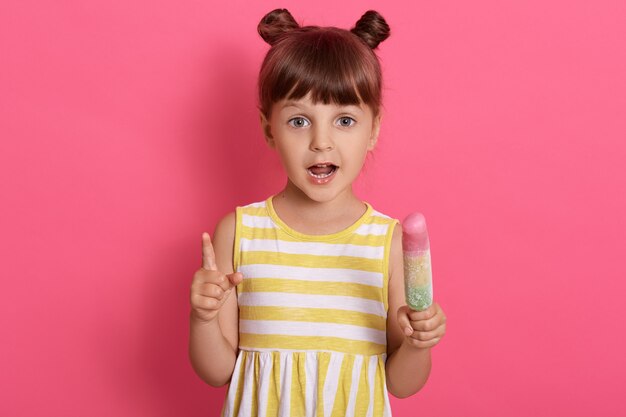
(374, 279)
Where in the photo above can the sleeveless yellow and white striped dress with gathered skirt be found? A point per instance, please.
(312, 318)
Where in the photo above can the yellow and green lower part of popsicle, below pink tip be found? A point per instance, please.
(418, 284)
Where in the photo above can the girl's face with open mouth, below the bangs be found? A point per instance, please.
(321, 146)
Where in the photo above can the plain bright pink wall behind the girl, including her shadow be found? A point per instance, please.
(129, 127)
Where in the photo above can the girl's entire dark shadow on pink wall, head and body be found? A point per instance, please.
(229, 165)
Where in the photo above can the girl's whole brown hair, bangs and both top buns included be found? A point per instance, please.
(334, 65)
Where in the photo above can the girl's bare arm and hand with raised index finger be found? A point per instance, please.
(213, 333)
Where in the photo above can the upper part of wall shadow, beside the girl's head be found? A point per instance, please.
(227, 145)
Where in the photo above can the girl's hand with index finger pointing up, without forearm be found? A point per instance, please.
(210, 288)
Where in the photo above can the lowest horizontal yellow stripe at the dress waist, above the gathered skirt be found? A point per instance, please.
(263, 341)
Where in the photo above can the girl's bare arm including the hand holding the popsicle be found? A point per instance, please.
(410, 334)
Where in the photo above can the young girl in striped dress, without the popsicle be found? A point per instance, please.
(299, 303)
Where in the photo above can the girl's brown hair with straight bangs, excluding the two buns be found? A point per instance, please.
(333, 65)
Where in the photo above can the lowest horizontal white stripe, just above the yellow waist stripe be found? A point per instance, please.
(293, 328)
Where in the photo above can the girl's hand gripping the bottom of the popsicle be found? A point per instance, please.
(423, 329)
